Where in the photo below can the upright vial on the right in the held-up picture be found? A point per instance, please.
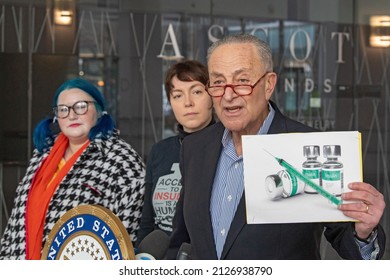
(332, 170)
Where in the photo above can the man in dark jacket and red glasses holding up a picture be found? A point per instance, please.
(211, 213)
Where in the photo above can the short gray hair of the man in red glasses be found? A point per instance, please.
(263, 49)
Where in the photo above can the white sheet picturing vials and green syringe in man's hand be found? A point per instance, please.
(299, 177)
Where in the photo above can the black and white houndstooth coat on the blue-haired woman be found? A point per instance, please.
(108, 173)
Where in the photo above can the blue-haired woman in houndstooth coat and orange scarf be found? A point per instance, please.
(83, 162)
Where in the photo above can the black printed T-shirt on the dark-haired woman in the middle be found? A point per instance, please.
(162, 185)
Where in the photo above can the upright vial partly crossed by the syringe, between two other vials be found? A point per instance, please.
(311, 168)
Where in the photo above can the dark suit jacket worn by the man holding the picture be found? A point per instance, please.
(192, 223)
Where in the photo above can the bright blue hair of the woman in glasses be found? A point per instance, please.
(45, 133)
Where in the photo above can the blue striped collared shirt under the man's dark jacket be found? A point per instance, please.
(228, 185)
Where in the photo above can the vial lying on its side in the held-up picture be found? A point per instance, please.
(283, 184)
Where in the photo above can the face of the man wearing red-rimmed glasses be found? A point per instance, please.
(239, 64)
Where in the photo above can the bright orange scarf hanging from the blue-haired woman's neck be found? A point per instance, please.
(44, 184)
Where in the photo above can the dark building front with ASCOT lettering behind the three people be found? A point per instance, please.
(332, 59)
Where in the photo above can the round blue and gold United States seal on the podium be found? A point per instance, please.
(88, 232)
